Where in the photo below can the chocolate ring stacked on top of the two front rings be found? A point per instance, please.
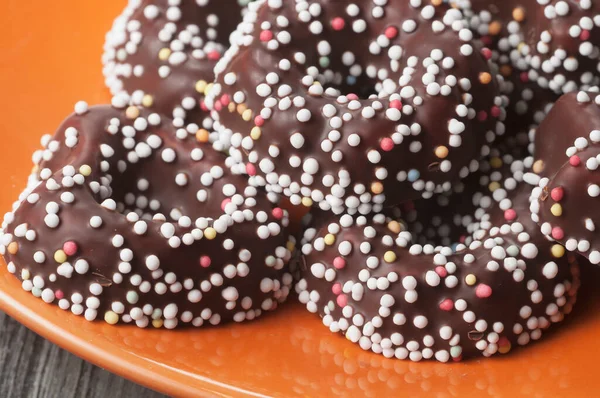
(351, 105)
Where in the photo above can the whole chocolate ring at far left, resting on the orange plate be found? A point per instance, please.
(123, 221)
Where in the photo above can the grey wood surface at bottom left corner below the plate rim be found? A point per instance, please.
(33, 367)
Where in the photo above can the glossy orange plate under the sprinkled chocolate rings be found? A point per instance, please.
(42, 75)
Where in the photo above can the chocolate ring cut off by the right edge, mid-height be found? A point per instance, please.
(568, 179)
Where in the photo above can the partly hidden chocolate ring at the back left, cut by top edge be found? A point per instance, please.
(162, 54)
